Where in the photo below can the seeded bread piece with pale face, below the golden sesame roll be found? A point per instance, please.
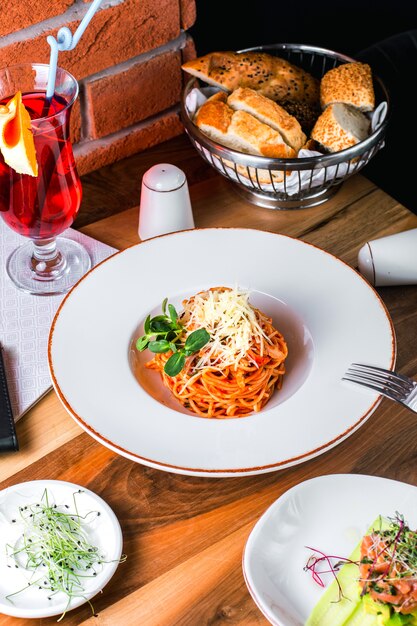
(340, 126)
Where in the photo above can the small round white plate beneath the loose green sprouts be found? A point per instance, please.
(19, 595)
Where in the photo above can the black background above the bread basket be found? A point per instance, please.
(346, 26)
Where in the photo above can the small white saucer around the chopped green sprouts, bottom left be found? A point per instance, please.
(104, 532)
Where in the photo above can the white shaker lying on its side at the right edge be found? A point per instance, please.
(390, 260)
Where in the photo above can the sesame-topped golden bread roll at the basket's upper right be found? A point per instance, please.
(350, 83)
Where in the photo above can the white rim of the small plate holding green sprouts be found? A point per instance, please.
(106, 574)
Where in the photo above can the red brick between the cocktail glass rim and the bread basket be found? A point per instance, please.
(130, 96)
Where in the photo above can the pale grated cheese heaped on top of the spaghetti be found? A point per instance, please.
(230, 321)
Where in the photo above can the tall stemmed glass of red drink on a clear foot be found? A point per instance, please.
(42, 207)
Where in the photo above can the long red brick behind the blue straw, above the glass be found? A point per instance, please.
(113, 36)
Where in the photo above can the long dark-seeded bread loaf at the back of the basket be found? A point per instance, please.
(272, 76)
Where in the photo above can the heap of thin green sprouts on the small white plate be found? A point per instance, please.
(54, 545)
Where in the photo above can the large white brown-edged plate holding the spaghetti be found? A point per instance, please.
(328, 313)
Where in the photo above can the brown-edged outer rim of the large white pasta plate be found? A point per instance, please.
(219, 471)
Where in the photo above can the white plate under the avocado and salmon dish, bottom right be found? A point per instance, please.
(330, 513)
